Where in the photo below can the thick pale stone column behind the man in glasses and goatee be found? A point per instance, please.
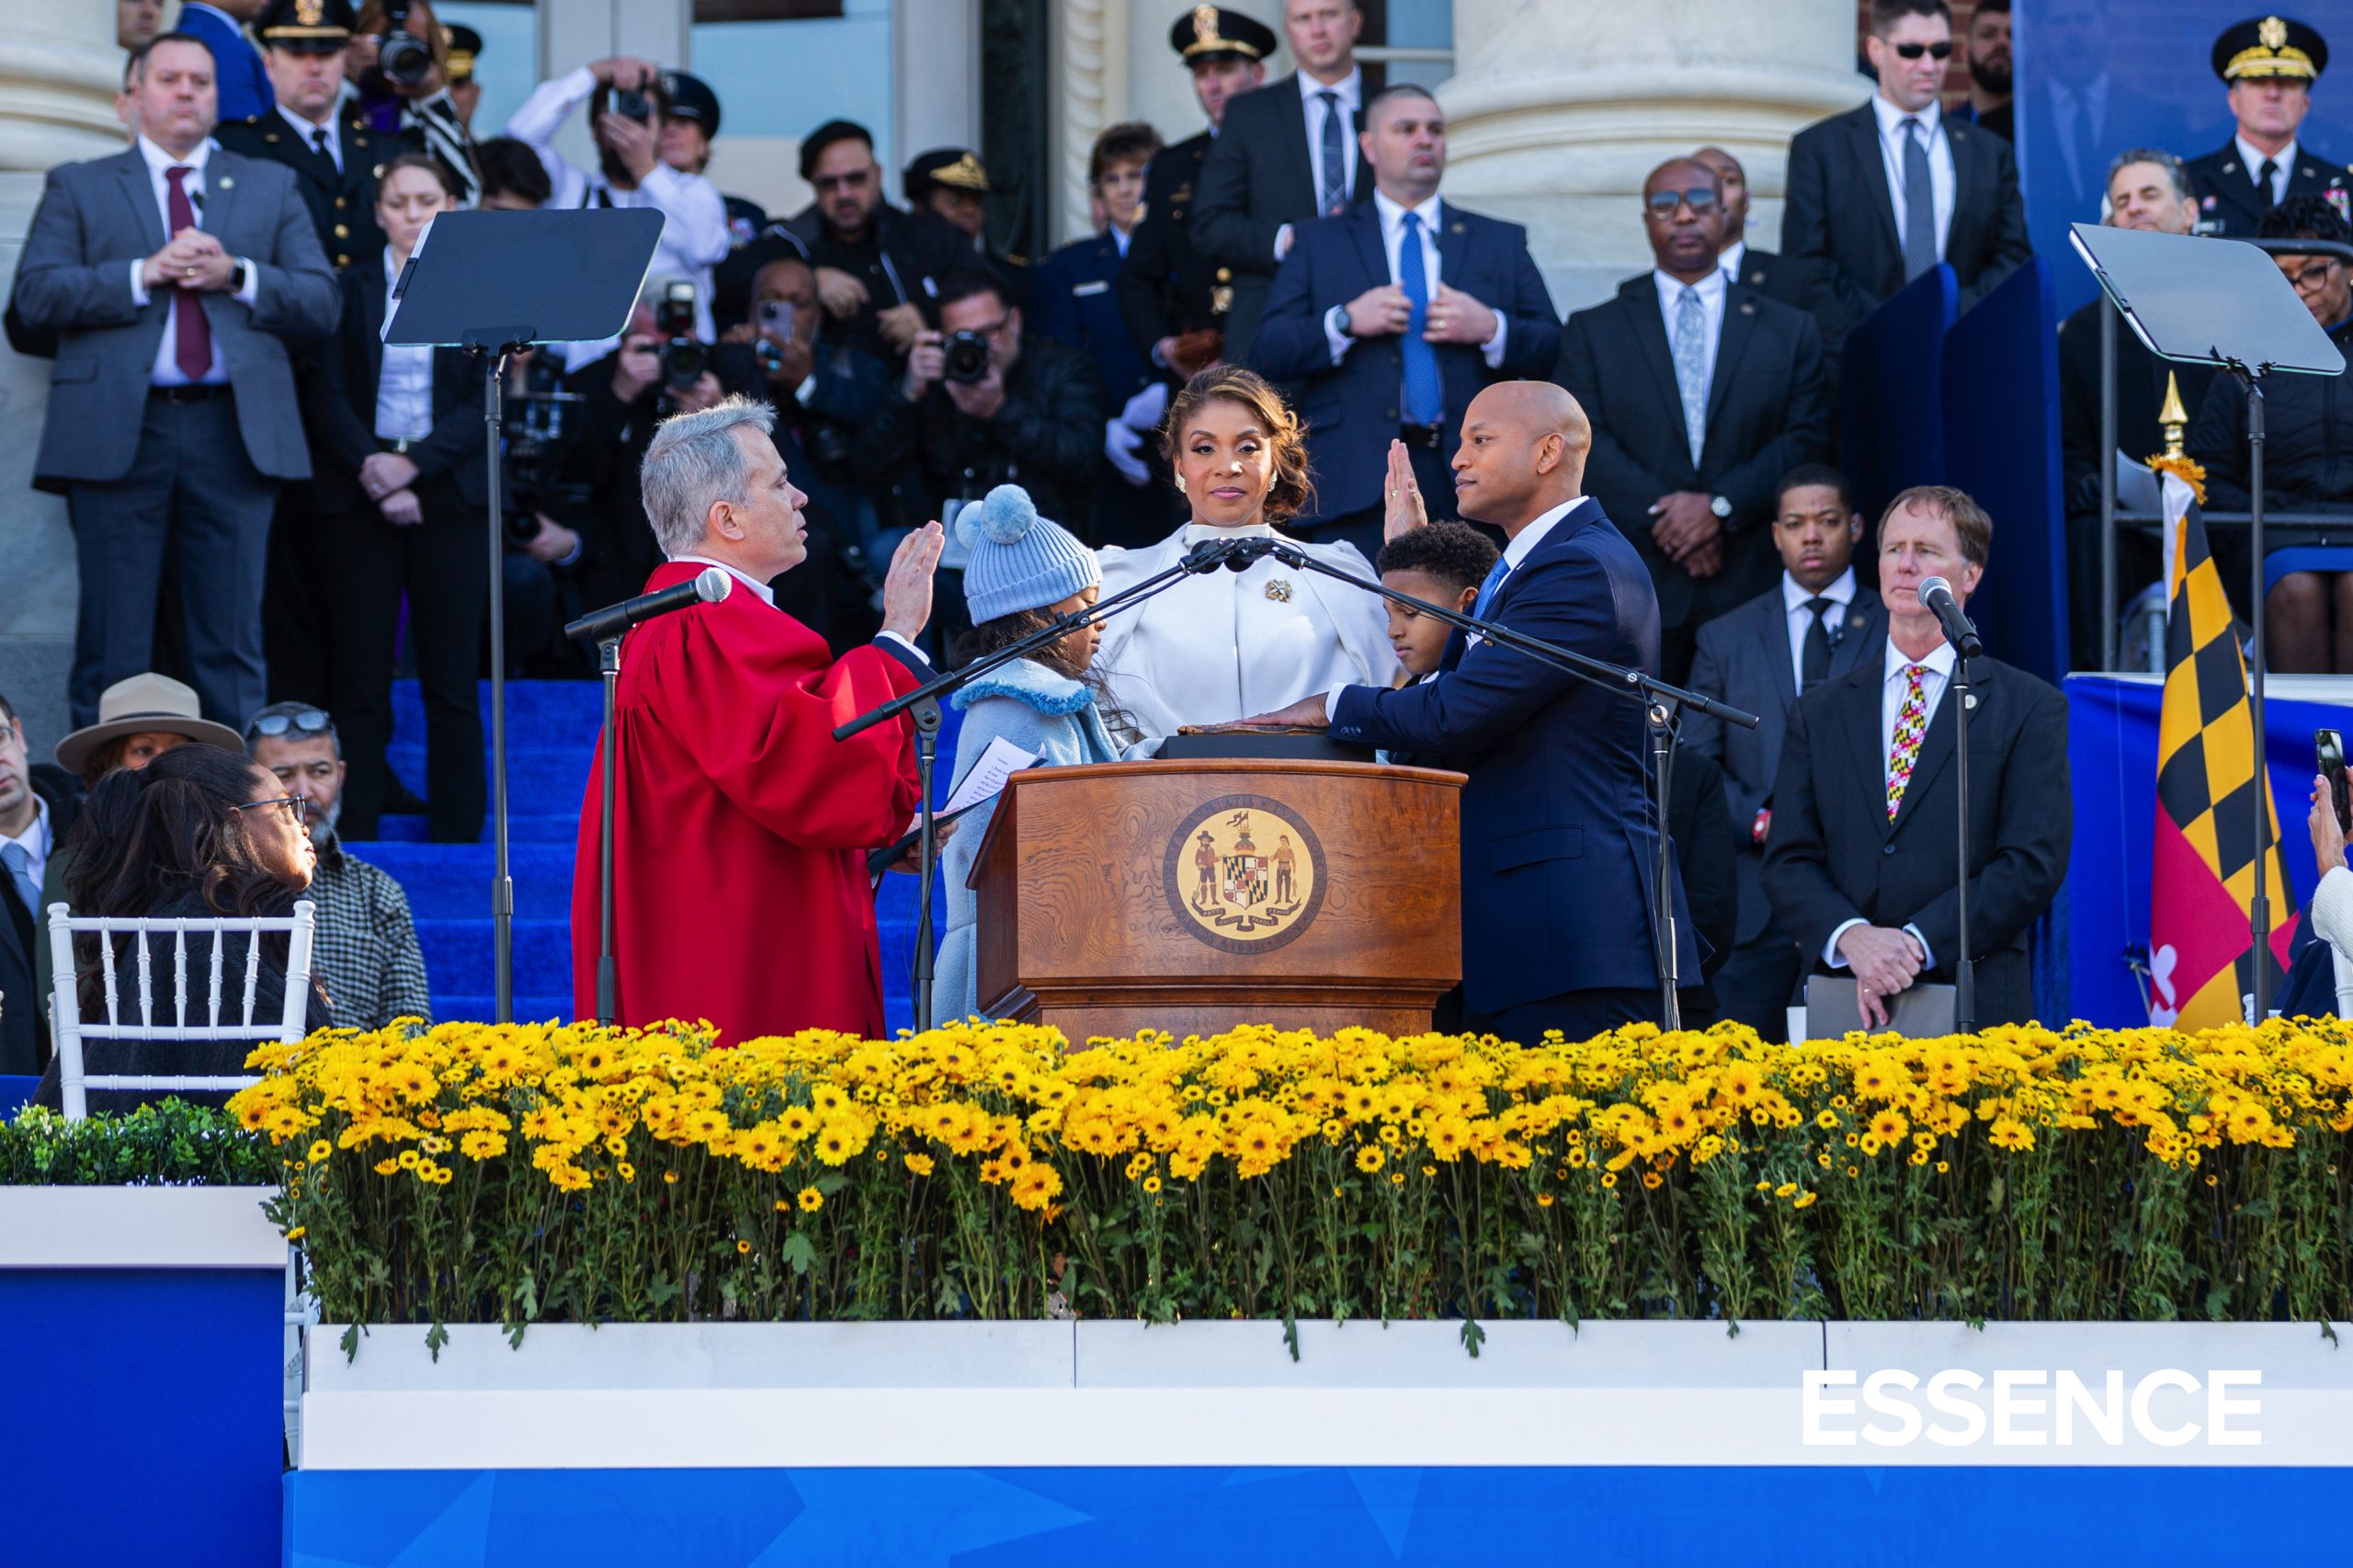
(1559, 112)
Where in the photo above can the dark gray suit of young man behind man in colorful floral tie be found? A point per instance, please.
(1745, 660)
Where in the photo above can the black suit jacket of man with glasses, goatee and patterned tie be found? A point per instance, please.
(1768, 413)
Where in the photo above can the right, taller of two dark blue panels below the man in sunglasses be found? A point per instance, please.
(2001, 444)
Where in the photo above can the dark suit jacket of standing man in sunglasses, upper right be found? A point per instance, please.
(1839, 211)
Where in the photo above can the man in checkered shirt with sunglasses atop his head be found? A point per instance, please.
(366, 950)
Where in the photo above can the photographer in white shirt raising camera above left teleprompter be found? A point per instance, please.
(629, 112)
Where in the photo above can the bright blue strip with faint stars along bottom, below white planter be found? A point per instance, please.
(1189, 1517)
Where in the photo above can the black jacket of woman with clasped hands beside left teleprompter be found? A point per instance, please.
(342, 404)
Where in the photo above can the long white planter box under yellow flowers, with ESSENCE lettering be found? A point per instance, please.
(1359, 1395)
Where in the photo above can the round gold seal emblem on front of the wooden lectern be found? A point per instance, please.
(1244, 875)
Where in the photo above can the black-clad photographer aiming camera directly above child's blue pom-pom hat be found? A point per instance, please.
(978, 408)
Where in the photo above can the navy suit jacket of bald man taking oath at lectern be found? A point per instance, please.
(1557, 839)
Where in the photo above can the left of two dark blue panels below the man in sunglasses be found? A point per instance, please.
(1893, 392)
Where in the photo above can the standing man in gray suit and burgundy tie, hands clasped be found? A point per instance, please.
(171, 274)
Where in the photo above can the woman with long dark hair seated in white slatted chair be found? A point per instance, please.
(196, 835)
